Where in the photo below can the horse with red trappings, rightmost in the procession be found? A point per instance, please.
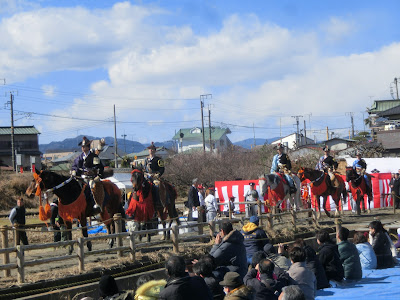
(358, 189)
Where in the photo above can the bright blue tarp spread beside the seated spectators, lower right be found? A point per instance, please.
(375, 284)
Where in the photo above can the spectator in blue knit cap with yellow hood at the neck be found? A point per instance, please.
(254, 237)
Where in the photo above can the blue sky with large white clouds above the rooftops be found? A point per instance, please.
(70, 62)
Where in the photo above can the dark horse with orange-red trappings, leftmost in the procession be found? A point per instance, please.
(73, 200)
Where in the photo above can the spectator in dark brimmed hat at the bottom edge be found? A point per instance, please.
(234, 287)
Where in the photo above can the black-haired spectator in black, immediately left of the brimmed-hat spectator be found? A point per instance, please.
(204, 269)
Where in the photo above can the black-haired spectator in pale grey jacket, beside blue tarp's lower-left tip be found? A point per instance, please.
(300, 274)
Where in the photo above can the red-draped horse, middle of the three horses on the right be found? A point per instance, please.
(321, 186)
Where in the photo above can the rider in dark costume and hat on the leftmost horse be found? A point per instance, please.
(88, 161)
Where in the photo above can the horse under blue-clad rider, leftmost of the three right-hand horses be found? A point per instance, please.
(279, 190)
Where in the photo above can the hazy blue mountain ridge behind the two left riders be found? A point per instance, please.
(72, 145)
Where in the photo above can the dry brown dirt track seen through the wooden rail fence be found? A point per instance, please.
(282, 232)
